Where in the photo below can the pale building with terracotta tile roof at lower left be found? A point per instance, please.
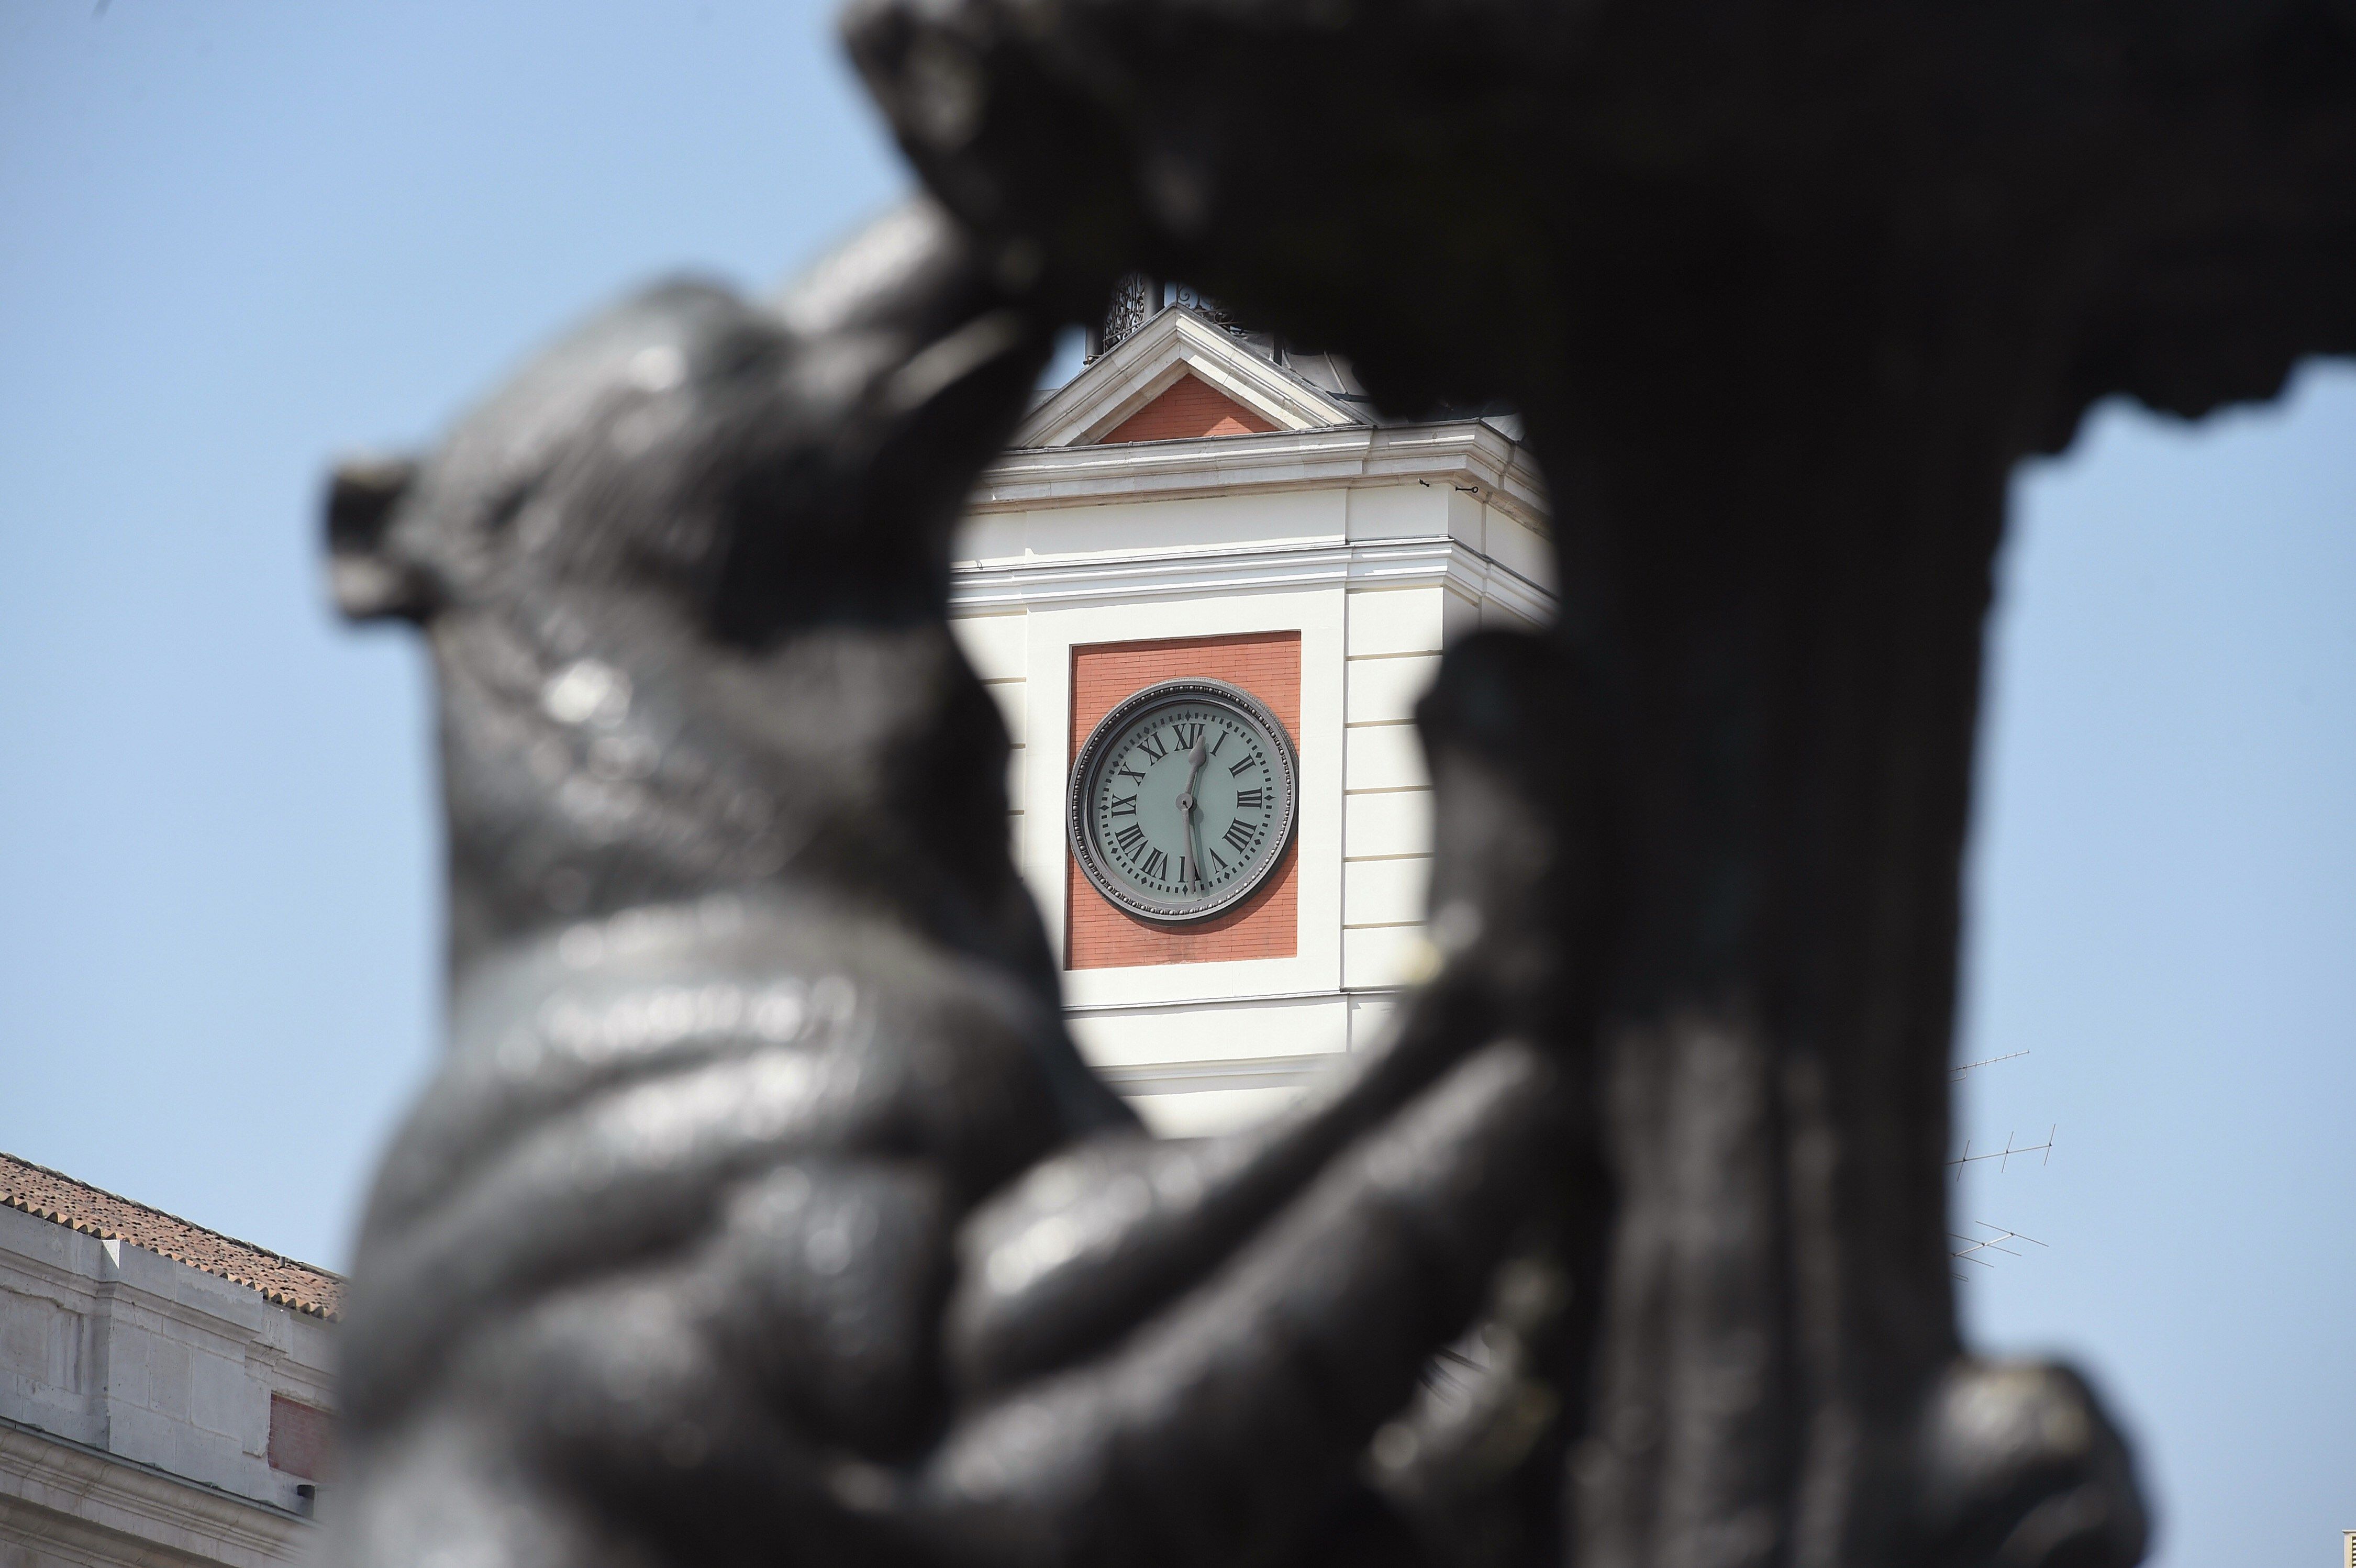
(164, 1390)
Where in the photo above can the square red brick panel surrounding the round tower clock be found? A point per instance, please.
(1101, 936)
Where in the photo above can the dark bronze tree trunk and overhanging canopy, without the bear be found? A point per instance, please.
(1782, 291)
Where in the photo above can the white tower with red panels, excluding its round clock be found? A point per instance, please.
(1203, 505)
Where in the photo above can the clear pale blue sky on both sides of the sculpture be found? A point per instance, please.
(244, 237)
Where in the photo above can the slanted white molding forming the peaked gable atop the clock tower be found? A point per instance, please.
(1149, 364)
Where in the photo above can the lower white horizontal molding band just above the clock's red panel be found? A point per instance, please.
(1255, 569)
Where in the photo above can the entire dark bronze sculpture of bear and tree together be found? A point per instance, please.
(767, 1214)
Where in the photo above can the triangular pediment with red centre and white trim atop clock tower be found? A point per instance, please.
(1170, 364)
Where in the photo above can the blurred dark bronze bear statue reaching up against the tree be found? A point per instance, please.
(762, 1209)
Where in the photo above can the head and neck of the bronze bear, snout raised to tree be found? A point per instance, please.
(687, 578)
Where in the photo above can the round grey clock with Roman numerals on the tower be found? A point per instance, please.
(1184, 799)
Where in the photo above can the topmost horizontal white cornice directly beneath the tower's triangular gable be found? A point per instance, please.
(1462, 453)
